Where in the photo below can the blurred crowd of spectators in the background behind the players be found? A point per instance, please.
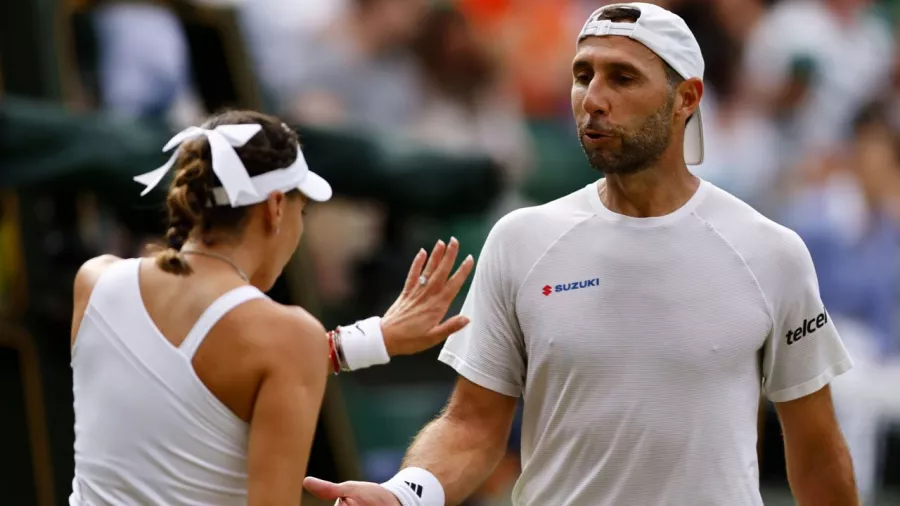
(801, 116)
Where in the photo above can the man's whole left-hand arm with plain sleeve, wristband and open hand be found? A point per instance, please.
(455, 453)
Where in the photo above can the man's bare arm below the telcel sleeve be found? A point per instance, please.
(820, 470)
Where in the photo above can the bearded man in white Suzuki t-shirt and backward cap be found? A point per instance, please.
(639, 318)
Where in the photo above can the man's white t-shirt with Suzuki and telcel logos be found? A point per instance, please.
(641, 346)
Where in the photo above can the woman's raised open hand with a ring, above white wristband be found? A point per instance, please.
(413, 322)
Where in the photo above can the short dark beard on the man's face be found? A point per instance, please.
(639, 149)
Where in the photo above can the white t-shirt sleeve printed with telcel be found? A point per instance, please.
(804, 351)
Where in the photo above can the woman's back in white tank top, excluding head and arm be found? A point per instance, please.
(151, 425)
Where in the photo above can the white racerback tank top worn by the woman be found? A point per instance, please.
(147, 430)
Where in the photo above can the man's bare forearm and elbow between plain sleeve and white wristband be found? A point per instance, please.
(464, 445)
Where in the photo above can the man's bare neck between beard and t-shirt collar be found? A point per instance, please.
(648, 193)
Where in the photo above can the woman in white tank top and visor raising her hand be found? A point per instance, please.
(191, 386)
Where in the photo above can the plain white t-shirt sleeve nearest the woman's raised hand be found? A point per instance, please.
(490, 350)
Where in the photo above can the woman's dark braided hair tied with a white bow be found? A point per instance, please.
(190, 192)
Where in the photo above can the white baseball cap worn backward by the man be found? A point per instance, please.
(667, 35)
